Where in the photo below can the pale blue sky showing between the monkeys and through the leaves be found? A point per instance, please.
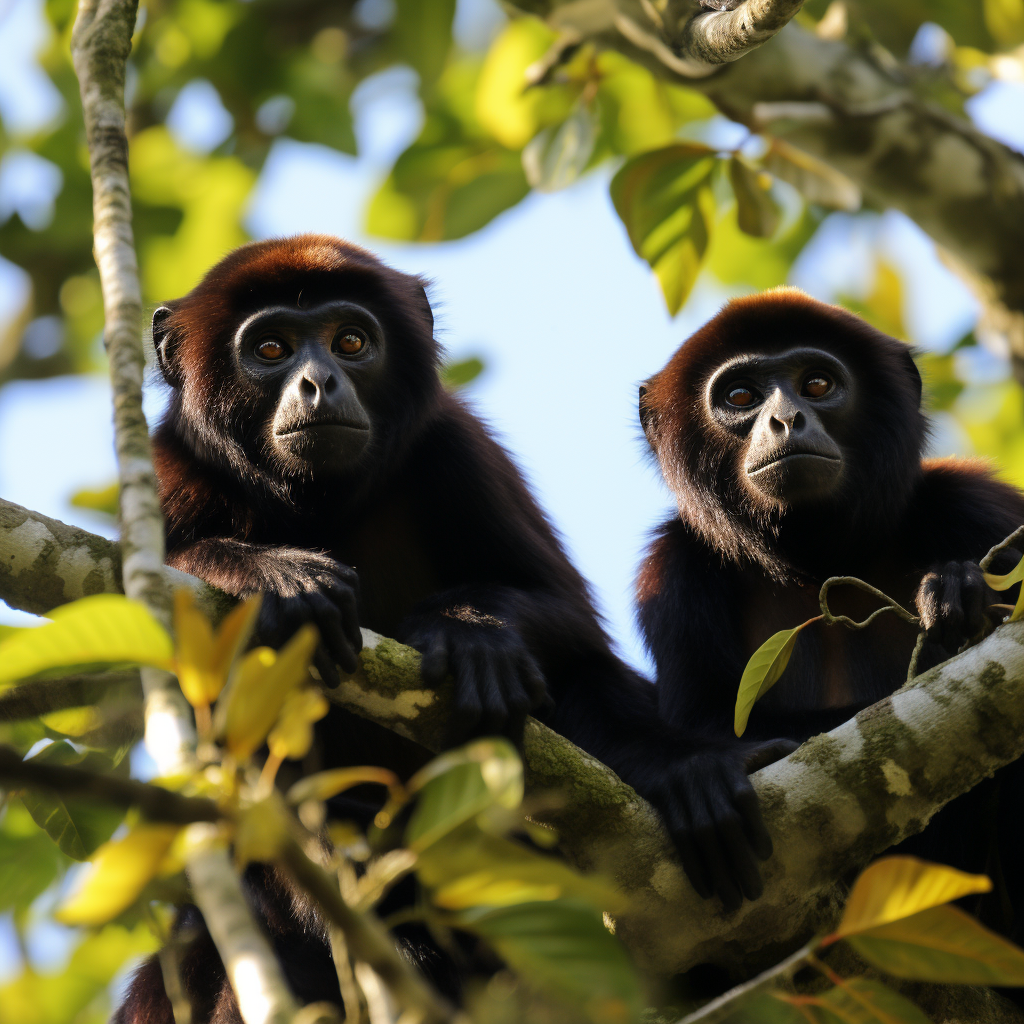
(567, 318)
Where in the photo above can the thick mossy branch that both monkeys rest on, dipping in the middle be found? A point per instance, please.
(840, 800)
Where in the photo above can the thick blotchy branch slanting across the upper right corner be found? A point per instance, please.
(854, 107)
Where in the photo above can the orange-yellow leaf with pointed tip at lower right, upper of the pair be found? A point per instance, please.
(900, 887)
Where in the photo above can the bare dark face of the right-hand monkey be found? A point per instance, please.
(786, 411)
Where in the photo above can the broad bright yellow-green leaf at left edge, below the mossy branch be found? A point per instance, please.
(105, 629)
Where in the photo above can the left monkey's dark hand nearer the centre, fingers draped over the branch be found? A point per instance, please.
(497, 681)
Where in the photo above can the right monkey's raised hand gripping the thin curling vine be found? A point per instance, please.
(952, 602)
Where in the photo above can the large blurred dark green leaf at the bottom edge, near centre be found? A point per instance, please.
(564, 950)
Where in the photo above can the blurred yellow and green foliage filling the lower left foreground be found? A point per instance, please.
(463, 838)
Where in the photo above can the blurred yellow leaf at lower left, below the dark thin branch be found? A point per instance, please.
(120, 871)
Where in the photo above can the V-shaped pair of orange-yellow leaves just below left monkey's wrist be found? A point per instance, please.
(204, 659)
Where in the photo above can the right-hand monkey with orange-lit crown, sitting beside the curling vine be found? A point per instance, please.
(791, 434)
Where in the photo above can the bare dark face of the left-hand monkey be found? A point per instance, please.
(314, 371)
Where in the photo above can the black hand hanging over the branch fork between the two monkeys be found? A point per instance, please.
(714, 817)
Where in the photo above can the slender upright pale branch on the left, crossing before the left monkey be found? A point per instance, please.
(101, 46)
